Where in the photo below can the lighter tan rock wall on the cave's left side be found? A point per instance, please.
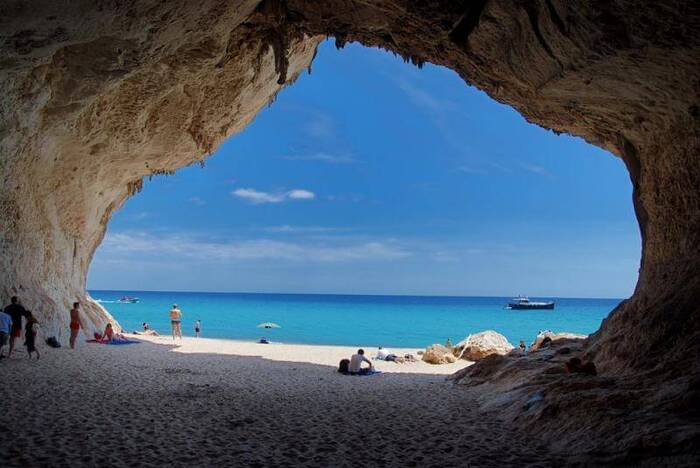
(97, 96)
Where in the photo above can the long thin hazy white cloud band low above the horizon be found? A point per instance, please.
(187, 248)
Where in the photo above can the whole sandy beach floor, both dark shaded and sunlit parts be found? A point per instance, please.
(230, 403)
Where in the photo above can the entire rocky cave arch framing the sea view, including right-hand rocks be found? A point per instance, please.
(99, 95)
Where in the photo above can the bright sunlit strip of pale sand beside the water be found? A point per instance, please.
(325, 355)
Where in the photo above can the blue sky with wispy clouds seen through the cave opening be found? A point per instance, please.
(371, 176)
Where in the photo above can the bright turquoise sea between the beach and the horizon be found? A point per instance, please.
(400, 321)
